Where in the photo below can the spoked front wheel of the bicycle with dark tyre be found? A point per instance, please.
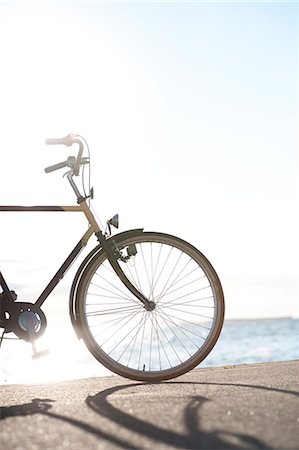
(173, 337)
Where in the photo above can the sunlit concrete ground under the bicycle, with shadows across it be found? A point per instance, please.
(235, 407)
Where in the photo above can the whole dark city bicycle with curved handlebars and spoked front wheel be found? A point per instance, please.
(149, 306)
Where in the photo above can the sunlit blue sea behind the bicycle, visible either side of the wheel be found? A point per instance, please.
(247, 341)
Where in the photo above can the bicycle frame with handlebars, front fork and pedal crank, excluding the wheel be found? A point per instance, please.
(27, 320)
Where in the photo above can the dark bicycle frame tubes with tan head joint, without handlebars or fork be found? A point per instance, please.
(93, 228)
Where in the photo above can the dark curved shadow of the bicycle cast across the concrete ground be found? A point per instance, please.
(195, 438)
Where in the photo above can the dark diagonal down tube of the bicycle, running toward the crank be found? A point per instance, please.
(65, 266)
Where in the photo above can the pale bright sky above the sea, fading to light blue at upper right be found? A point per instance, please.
(190, 110)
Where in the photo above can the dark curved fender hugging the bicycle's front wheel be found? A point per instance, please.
(74, 288)
